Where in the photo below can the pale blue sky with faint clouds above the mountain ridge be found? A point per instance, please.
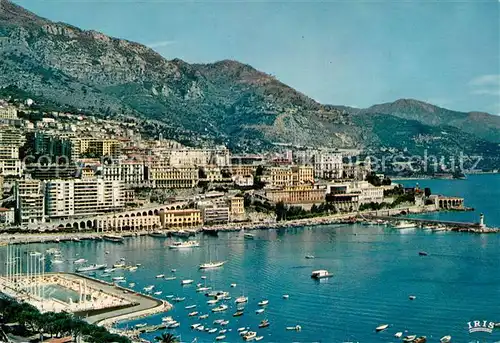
(355, 53)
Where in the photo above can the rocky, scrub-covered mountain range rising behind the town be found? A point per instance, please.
(224, 102)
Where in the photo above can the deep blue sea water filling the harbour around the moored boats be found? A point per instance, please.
(376, 269)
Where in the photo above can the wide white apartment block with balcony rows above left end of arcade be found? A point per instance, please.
(67, 198)
